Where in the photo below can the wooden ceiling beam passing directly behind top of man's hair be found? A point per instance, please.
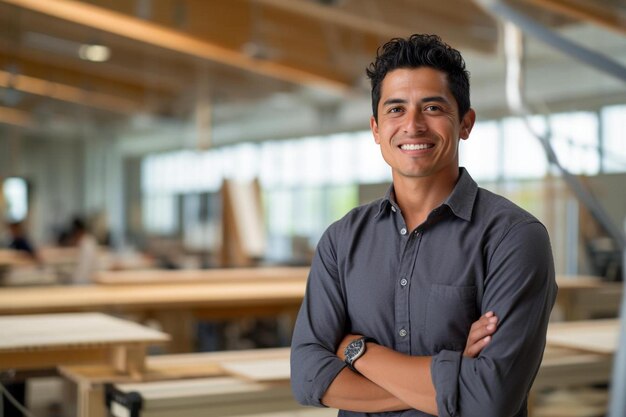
(367, 25)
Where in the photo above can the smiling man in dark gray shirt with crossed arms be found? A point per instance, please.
(415, 271)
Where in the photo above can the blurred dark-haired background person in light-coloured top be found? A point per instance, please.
(87, 245)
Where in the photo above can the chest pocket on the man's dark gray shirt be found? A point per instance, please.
(450, 312)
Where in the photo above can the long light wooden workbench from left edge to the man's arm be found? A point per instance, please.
(175, 305)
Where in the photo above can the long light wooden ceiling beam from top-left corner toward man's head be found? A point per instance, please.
(163, 37)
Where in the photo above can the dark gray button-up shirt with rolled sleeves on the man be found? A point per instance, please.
(419, 291)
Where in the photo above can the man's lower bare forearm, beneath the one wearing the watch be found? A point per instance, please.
(351, 391)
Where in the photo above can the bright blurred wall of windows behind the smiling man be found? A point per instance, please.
(309, 182)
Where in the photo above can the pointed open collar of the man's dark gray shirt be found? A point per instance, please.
(460, 201)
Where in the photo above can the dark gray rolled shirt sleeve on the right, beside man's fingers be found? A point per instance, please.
(520, 288)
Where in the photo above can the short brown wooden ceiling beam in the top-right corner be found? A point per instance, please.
(596, 12)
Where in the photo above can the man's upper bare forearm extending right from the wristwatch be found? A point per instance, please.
(405, 377)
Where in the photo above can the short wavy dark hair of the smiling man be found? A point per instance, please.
(421, 51)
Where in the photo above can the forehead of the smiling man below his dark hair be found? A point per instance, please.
(415, 81)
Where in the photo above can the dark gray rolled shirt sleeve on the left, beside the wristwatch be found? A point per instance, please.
(319, 328)
